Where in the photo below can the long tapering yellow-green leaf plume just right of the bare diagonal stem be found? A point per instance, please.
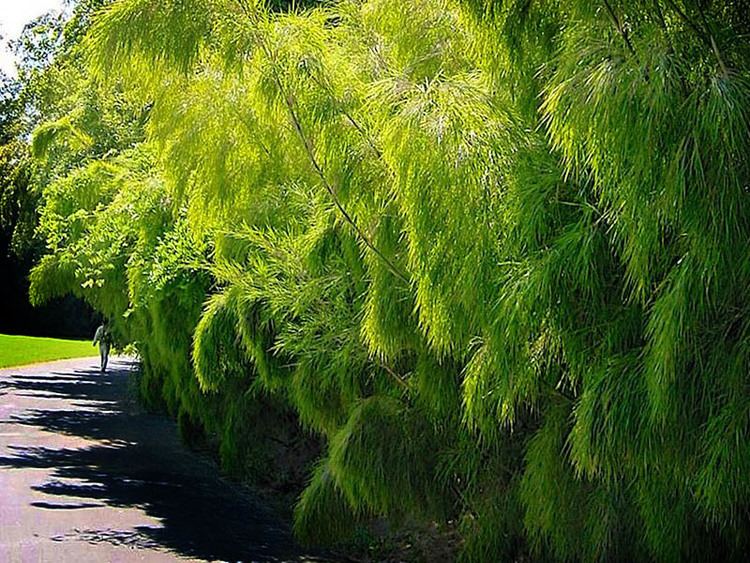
(442, 140)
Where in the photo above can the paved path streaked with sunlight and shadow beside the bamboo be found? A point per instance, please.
(85, 475)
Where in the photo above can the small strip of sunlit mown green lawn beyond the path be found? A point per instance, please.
(21, 350)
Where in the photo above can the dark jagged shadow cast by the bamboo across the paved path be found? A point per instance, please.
(137, 461)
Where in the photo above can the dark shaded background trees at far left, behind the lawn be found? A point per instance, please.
(19, 246)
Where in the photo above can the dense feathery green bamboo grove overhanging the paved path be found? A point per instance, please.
(492, 256)
